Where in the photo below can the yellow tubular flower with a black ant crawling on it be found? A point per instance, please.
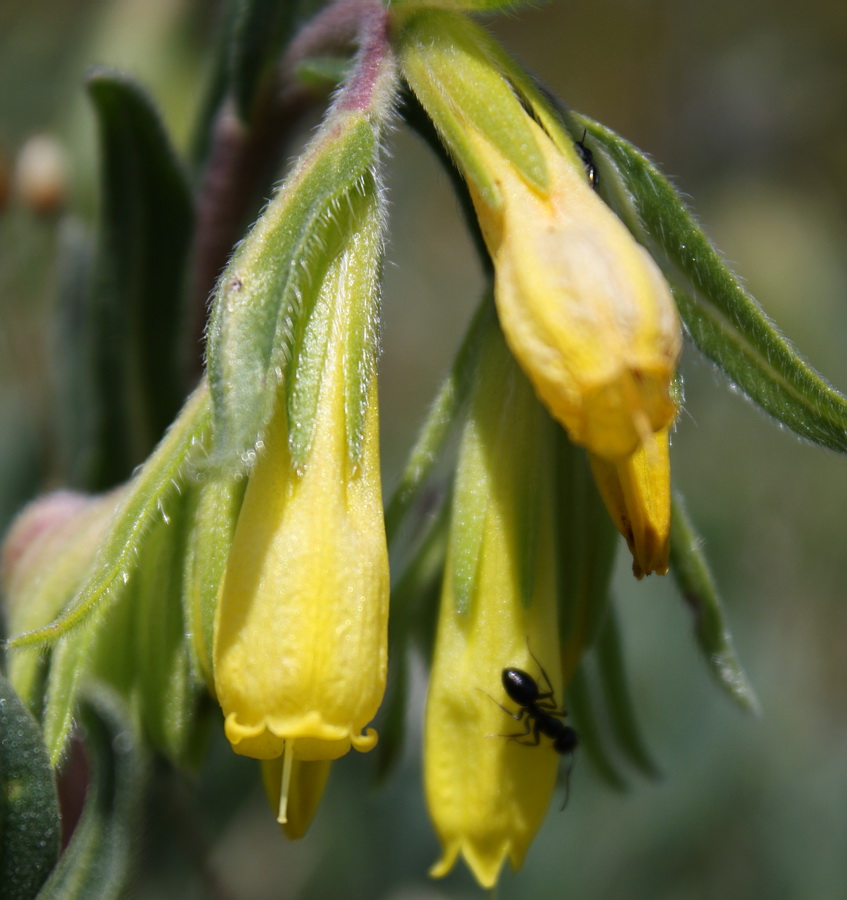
(487, 795)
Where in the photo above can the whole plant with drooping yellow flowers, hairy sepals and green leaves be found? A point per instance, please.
(223, 560)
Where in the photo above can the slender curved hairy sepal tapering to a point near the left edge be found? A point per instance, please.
(141, 506)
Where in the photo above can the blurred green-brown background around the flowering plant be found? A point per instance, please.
(745, 107)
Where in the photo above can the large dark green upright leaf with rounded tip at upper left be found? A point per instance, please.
(137, 307)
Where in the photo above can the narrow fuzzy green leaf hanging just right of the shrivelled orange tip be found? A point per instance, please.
(691, 572)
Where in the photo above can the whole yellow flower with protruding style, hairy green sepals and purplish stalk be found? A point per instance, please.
(300, 633)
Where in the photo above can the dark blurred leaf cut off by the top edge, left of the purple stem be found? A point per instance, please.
(261, 31)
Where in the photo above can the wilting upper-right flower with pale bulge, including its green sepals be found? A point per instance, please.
(584, 308)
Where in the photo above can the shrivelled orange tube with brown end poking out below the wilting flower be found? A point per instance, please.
(637, 493)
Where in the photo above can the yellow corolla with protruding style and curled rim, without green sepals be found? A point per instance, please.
(301, 630)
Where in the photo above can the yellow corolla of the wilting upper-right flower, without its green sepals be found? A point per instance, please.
(584, 308)
